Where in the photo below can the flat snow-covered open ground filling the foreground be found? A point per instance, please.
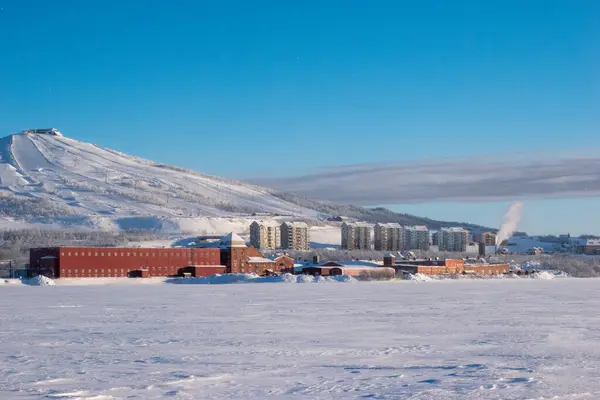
(496, 339)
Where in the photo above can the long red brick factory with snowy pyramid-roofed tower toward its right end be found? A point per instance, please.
(229, 255)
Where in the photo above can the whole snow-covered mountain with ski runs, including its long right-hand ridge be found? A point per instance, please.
(46, 178)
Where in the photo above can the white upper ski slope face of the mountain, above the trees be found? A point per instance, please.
(111, 187)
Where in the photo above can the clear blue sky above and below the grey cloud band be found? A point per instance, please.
(233, 88)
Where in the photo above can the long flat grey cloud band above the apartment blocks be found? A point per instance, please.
(493, 178)
